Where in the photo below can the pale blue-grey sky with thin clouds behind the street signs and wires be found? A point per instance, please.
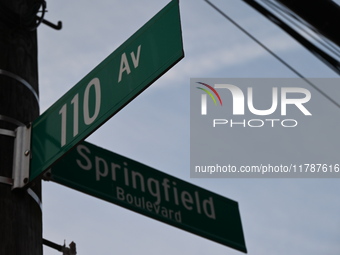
(279, 215)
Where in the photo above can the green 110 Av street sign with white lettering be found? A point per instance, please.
(122, 76)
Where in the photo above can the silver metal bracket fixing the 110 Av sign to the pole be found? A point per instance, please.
(21, 158)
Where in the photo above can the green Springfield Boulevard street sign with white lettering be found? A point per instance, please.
(135, 186)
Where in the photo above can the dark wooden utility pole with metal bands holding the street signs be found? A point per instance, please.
(20, 212)
